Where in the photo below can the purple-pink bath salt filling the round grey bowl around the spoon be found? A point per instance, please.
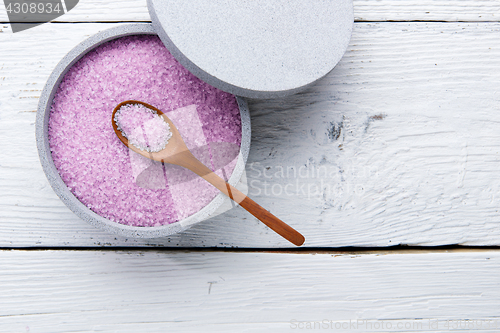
(97, 167)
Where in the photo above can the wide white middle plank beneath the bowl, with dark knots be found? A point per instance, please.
(398, 145)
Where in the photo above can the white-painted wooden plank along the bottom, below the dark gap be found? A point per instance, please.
(89, 291)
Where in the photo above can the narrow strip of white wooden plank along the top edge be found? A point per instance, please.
(364, 10)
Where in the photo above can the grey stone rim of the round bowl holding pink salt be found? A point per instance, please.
(60, 187)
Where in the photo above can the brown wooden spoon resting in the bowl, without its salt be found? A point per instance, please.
(176, 152)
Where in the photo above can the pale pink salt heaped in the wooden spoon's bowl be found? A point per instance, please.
(143, 127)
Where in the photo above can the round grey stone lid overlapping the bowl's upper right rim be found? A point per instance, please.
(255, 48)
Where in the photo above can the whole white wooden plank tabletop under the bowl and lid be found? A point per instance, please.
(406, 130)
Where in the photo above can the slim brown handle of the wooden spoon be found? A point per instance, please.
(190, 162)
